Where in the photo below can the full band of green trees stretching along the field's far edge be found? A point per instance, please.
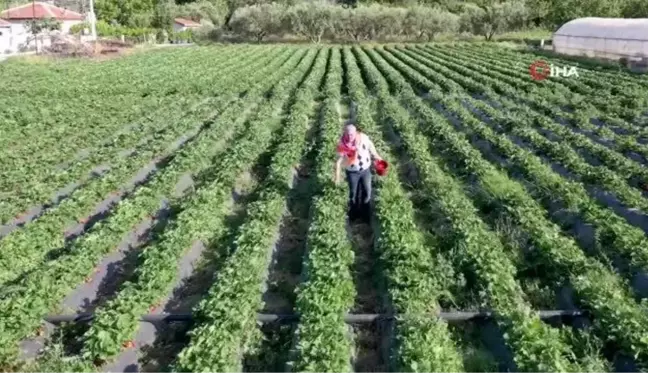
(353, 20)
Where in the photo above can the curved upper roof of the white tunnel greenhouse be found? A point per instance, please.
(606, 28)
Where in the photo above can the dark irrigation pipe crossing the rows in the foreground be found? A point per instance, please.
(293, 318)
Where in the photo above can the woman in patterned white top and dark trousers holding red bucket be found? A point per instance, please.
(355, 151)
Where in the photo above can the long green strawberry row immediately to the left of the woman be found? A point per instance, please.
(323, 340)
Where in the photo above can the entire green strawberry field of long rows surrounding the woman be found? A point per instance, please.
(174, 210)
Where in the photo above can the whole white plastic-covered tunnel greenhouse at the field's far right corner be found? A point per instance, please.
(610, 38)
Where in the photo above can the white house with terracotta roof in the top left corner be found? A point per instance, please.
(20, 37)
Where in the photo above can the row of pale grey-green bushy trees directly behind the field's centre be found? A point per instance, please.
(317, 21)
